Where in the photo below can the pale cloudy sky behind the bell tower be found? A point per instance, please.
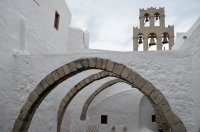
(110, 22)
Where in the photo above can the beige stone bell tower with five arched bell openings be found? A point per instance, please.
(152, 33)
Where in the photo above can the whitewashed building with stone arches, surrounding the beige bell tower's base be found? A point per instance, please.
(36, 39)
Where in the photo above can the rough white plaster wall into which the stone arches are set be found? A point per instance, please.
(169, 71)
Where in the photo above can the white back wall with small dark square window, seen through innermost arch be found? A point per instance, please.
(122, 109)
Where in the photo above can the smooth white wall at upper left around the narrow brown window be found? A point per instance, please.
(27, 27)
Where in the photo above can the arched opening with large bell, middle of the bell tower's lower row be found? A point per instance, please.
(152, 41)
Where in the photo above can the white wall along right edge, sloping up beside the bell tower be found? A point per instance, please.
(192, 45)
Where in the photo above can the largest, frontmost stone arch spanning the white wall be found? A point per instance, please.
(66, 71)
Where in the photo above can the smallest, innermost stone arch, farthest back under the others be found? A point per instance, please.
(105, 86)
